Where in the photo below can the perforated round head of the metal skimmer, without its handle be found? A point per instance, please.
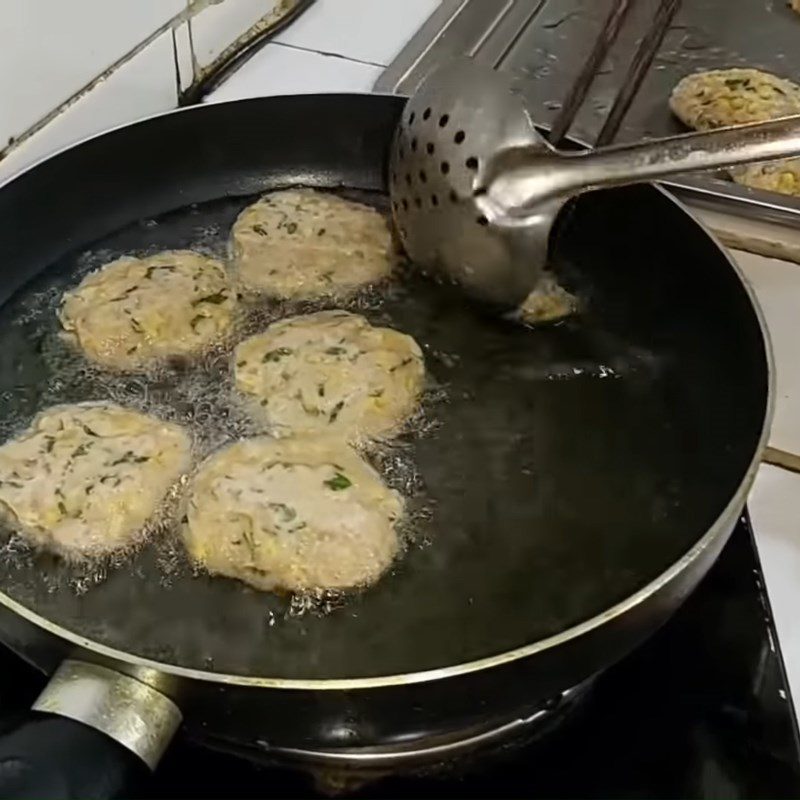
(459, 117)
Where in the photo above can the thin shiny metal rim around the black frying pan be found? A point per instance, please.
(716, 529)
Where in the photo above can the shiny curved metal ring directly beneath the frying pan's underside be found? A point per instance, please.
(345, 770)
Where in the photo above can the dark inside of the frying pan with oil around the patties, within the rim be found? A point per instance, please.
(569, 466)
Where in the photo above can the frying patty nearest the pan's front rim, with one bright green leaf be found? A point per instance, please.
(292, 514)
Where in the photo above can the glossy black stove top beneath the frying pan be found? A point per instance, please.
(701, 710)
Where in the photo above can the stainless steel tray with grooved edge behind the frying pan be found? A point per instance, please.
(545, 42)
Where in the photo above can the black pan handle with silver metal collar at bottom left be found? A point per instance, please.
(90, 734)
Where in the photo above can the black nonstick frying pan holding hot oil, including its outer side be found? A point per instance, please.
(580, 478)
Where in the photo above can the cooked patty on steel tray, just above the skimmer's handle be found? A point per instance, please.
(725, 97)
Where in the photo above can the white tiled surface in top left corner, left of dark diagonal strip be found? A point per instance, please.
(71, 70)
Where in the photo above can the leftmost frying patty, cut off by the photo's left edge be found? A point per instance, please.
(84, 480)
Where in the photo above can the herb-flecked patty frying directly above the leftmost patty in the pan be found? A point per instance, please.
(135, 312)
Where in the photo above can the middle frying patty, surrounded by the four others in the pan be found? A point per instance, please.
(330, 372)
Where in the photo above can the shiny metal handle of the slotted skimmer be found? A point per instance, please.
(517, 181)
